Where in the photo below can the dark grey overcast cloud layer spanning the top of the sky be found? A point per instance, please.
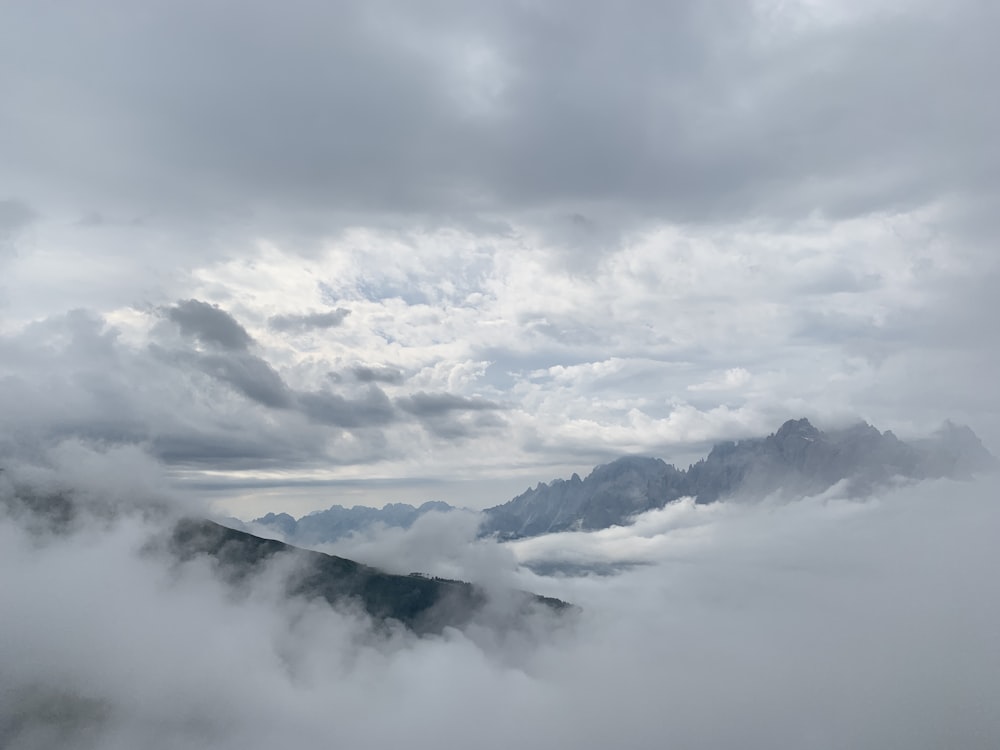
(603, 114)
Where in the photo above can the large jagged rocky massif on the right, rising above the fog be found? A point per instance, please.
(798, 459)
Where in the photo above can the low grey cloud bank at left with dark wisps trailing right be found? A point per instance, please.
(72, 376)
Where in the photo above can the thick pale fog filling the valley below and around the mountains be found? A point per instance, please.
(820, 623)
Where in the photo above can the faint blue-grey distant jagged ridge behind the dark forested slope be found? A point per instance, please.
(337, 521)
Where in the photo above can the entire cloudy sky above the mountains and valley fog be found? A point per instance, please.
(309, 253)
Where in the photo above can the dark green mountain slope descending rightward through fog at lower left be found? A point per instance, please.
(421, 603)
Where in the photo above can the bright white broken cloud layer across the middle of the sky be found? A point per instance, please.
(650, 351)
